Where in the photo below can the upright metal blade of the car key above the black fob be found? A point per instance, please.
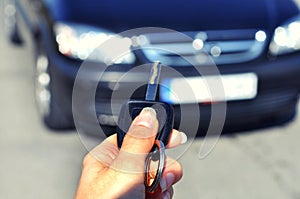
(153, 81)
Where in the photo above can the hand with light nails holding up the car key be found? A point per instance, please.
(112, 173)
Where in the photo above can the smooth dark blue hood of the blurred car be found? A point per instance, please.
(181, 15)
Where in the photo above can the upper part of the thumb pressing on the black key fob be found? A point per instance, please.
(142, 132)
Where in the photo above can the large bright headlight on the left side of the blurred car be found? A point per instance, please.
(84, 42)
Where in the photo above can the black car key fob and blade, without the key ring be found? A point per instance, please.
(132, 108)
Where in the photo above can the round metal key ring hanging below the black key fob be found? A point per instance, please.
(160, 147)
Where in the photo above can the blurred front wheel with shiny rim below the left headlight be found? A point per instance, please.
(46, 97)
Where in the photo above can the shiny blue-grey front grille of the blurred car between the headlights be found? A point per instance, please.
(203, 48)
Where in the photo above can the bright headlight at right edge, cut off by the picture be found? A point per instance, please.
(286, 38)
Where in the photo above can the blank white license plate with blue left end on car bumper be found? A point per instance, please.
(209, 88)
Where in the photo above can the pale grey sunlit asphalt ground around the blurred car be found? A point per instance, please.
(39, 163)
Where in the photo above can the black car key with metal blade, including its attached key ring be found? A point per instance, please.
(164, 112)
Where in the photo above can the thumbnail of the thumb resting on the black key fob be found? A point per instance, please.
(146, 118)
